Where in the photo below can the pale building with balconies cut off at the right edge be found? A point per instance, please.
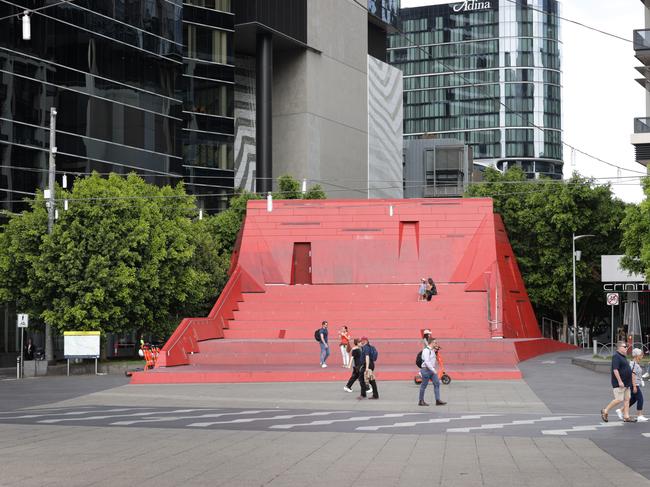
(641, 136)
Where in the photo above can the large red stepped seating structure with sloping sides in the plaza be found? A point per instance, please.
(359, 263)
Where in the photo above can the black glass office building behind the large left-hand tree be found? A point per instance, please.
(140, 86)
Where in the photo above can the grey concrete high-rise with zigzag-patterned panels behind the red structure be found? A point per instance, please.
(314, 97)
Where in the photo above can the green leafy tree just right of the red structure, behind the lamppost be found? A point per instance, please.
(541, 217)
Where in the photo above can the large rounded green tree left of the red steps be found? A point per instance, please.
(123, 256)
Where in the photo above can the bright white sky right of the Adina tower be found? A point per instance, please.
(600, 97)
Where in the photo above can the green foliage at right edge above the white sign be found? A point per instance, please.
(636, 236)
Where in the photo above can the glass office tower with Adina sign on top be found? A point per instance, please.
(486, 73)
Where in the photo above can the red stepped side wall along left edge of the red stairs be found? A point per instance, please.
(184, 341)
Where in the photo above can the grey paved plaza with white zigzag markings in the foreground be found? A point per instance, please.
(543, 430)
